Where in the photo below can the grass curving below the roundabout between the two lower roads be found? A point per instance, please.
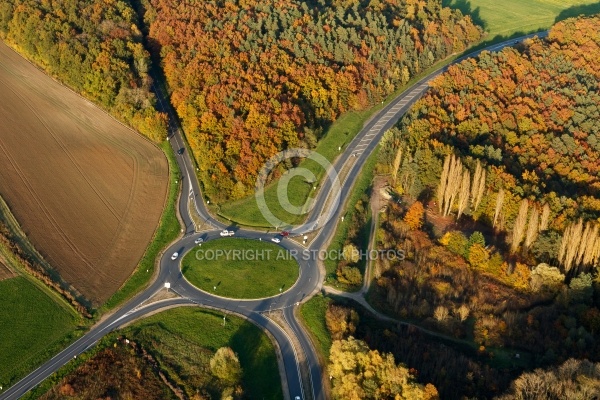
(205, 328)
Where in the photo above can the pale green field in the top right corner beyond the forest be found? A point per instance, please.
(513, 17)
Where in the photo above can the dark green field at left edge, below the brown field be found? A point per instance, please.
(34, 324)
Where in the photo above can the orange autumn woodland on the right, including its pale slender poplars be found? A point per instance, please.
(526, 118)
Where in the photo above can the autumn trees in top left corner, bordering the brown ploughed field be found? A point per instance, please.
(95, 47)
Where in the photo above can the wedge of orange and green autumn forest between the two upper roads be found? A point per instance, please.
(250, 78)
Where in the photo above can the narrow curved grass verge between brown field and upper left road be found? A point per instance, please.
(167, 231)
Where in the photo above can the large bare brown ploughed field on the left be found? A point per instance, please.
(87, 191)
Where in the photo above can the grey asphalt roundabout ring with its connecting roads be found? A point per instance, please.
(310, 277)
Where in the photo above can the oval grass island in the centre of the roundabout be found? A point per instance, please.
(240, 268)
